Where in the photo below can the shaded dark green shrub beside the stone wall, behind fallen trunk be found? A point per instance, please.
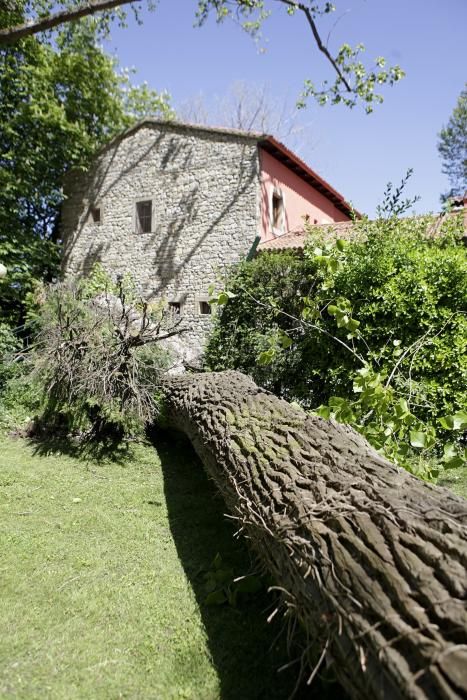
(267, 290)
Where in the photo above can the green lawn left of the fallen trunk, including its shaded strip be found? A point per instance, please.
(102, 582)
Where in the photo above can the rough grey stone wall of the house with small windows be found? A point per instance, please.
(204, 188)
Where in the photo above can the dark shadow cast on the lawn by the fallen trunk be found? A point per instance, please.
(247, 651)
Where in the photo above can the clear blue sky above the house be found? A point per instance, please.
(357, 153)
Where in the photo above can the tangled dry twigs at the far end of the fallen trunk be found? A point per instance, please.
(98, 358)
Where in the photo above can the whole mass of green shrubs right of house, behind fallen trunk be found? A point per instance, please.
(373, 329)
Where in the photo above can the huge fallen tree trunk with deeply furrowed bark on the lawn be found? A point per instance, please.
(370, 560)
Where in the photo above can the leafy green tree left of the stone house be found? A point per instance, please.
(52, 119)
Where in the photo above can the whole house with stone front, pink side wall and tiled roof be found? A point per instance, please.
(177, 205)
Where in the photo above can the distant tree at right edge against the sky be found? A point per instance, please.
(452, 146)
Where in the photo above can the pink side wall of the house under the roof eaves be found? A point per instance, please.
(299, 199)
